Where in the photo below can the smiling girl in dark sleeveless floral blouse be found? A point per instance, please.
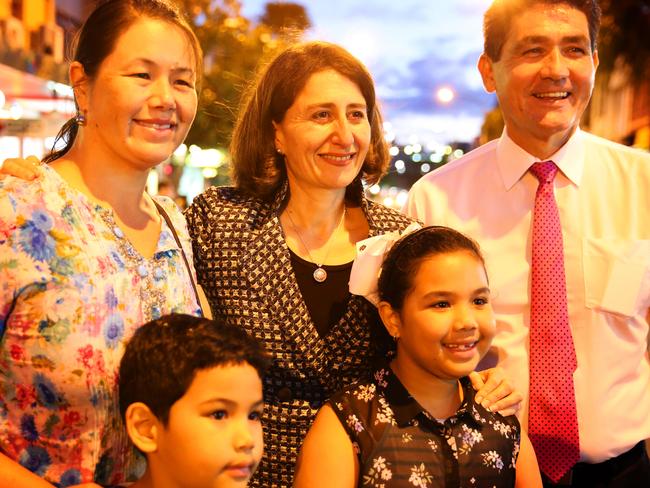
(415, 421)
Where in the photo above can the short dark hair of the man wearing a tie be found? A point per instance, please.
(499, 17)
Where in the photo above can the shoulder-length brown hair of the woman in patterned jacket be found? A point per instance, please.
(257, 168)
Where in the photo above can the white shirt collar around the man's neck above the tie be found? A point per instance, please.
(513, 161)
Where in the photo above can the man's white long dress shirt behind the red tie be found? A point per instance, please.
(603, 195)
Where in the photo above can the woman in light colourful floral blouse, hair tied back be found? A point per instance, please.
(86, 255)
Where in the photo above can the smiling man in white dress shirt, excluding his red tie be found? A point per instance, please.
(540, 58)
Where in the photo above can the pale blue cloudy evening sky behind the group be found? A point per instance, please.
(412, 47)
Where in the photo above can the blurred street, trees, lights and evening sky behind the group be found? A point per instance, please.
(422, 55)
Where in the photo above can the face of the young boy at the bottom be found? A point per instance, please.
(214, 435)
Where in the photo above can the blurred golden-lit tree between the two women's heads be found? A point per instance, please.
(233, 46)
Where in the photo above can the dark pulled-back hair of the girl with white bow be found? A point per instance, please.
(403, 260)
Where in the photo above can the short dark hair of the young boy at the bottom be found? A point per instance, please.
(164, 355)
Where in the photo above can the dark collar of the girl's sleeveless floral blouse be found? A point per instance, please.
(406, 408)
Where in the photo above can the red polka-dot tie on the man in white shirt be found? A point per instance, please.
(553, 423)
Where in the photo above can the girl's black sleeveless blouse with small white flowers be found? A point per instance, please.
(400, 445)
